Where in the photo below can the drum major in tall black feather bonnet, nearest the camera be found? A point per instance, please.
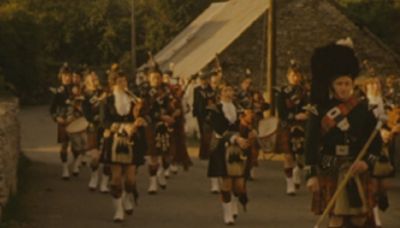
(339, 125)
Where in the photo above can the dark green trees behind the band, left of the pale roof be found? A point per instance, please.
(37, 36)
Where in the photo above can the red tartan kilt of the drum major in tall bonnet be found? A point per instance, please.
(328, 185)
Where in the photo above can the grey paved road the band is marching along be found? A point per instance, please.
(51, 202)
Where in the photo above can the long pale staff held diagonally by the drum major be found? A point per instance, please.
(348, 175)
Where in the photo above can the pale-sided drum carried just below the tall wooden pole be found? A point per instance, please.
(267, 129)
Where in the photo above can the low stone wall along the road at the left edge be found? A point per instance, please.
(9, 148)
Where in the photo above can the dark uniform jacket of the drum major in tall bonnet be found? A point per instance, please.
(319, 145)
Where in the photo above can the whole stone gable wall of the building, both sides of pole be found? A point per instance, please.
(301, 26)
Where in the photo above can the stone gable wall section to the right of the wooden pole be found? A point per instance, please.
(304, 25)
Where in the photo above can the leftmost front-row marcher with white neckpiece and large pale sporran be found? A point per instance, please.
(124, 142)
